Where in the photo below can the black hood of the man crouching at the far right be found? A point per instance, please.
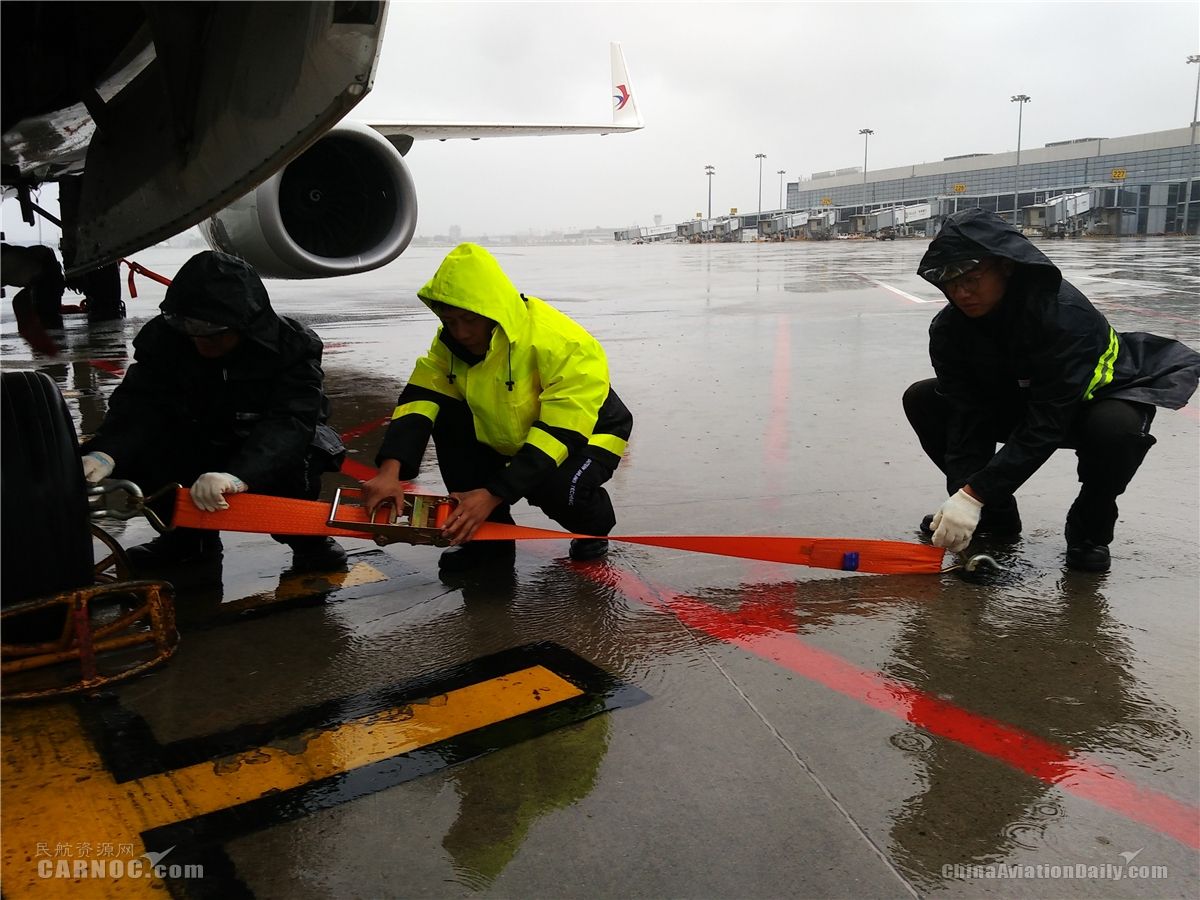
(974, 235)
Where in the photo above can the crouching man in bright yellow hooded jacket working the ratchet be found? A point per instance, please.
(518, 400)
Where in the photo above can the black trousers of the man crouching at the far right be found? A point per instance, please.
(1111, 440)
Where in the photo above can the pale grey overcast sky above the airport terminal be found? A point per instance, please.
(718, 83)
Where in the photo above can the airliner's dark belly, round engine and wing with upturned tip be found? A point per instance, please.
(229, 116)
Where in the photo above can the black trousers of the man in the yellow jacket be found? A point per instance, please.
(573, 495)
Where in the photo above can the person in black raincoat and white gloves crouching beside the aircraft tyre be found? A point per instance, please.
(225, 397)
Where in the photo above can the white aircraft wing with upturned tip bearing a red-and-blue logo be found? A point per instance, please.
(626, 118)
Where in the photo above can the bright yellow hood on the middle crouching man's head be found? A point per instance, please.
(471, 279)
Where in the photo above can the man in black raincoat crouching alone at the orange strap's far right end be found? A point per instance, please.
(1023, 358)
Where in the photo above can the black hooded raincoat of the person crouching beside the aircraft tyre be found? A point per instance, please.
(257, 412)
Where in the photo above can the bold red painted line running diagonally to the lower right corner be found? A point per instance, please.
(1049, 763)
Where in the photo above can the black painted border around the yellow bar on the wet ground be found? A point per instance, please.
(130, 751)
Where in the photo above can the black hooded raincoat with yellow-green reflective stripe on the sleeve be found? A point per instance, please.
(1045, 350)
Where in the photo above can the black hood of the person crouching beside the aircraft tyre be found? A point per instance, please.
(223, 291)
